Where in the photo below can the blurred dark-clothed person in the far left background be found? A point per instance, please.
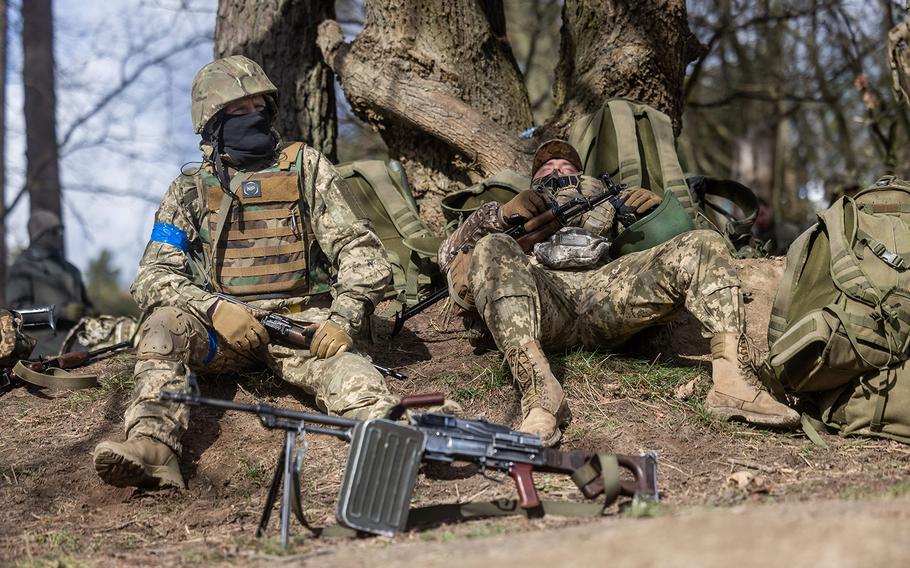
(41, 275)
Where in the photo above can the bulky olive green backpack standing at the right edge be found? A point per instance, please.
(840, 325)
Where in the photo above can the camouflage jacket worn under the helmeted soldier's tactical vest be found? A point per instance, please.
(358, 261)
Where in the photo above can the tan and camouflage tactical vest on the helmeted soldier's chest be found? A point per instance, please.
(260, 235)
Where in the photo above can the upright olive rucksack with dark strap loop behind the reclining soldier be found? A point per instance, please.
(635, 143)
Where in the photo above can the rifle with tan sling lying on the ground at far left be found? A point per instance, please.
(36, 372)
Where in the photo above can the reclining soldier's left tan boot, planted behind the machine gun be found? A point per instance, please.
(543, 404)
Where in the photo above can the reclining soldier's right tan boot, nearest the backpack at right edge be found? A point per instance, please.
(733, 397)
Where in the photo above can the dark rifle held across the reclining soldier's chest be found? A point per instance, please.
(563, 214)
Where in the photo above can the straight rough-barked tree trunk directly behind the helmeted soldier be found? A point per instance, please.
(280, 35)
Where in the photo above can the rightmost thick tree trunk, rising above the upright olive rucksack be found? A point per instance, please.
(623, 48)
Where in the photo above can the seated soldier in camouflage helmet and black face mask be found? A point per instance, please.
(265, 221)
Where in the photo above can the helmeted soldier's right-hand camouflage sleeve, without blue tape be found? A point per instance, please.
(356, 253)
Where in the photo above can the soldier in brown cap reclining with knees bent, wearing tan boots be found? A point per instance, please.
(532, 303)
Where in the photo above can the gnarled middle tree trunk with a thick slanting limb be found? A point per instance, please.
(439, 81)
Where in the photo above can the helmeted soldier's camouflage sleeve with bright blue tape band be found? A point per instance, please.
(165, 276)
